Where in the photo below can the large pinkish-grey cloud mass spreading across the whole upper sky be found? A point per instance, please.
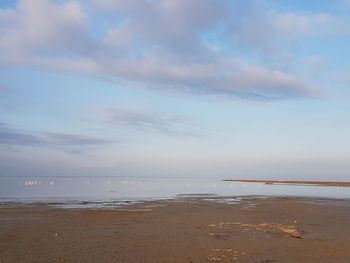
(163, 44)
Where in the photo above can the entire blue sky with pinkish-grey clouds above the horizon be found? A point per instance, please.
(243, 89)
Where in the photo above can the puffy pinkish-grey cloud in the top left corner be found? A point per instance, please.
(40, 26)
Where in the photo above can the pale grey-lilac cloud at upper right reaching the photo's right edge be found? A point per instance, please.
(271, 31)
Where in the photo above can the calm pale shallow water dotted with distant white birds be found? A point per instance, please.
(118, 191)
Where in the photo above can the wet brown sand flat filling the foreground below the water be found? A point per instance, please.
(254, 230)
